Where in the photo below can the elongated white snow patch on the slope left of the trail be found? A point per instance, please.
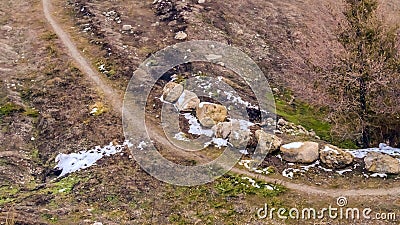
(73, 162)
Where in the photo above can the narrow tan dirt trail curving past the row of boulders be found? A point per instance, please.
(116, 103)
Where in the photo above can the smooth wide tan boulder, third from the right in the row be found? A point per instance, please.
(300, 152)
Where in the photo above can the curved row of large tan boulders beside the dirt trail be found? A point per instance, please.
(215, 116)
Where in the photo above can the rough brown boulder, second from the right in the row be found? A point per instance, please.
(334, 157)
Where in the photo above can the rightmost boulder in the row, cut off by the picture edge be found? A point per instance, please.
(381, 163)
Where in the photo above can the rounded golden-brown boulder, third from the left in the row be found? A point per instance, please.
(210, 114)
